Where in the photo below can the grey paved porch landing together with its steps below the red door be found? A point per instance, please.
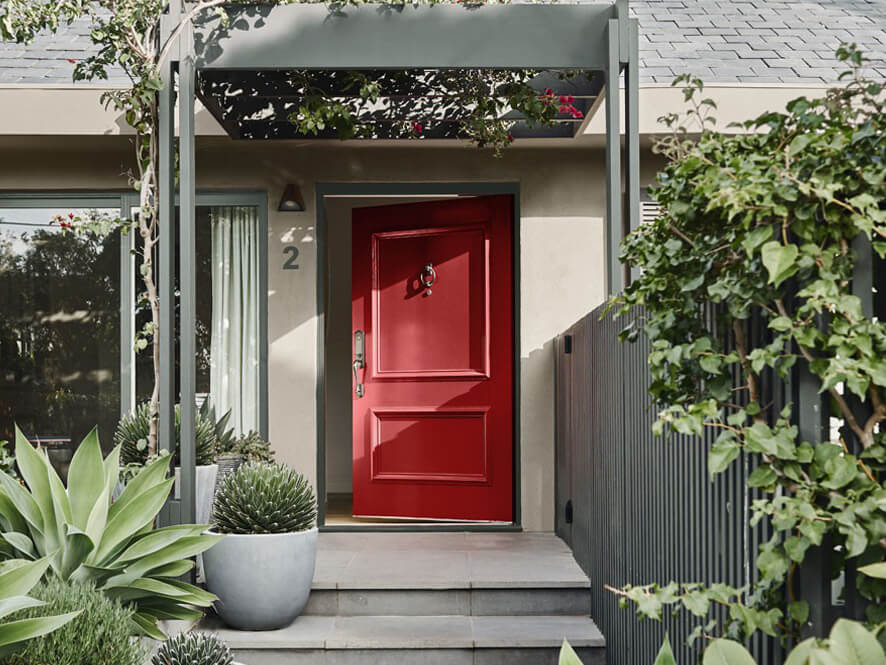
(460, 598)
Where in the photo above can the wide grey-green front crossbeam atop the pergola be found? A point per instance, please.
(444, 36)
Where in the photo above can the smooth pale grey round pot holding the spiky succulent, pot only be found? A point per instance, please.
(262, 580)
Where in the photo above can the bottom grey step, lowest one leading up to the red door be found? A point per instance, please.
(416, 640)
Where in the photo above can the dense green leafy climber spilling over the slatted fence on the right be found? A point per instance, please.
(766, 224)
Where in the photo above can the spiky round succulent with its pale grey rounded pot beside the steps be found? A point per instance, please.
(262, 570)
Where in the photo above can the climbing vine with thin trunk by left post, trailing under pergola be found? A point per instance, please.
(127, 37)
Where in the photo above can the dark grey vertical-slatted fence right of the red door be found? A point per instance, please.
(638, 509)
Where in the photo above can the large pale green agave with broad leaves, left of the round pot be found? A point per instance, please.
(113, 545)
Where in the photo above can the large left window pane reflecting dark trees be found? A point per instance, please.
(59, 322)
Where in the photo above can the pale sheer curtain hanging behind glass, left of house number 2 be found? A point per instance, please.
(234, 354)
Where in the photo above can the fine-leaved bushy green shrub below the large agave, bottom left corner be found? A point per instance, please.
(100, 635)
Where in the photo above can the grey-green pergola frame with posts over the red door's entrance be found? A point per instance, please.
(263, 42)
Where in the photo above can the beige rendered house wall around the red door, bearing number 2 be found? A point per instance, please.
(562, 257)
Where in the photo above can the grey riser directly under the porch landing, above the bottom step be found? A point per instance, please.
(436, 602)
